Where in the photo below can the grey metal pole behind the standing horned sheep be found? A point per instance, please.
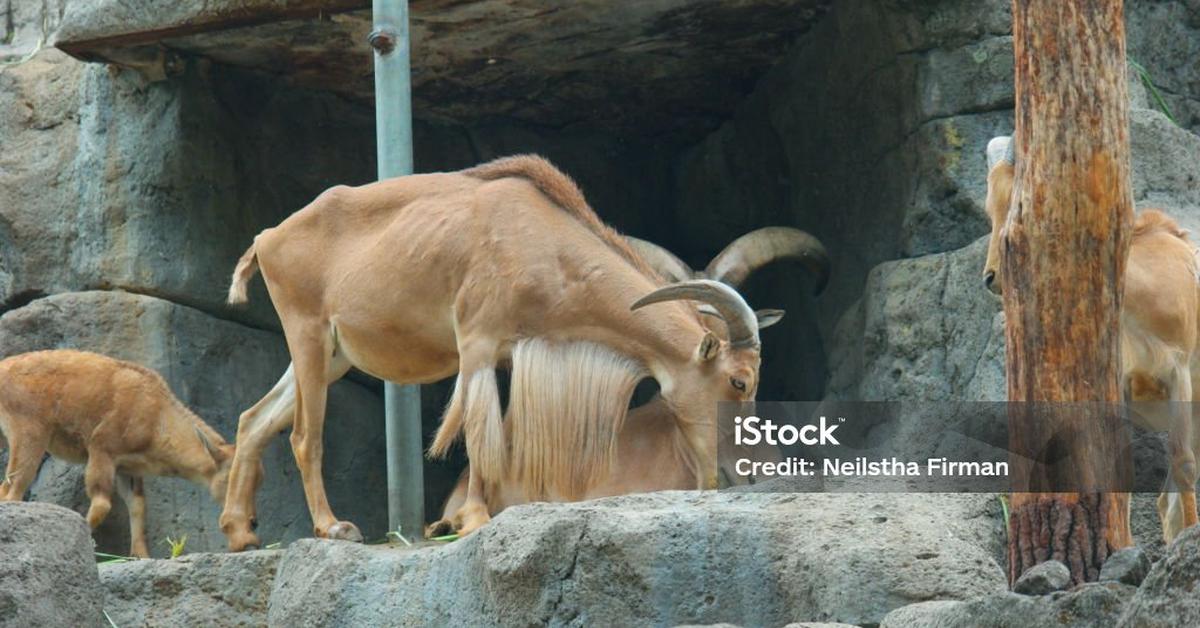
(394, 151)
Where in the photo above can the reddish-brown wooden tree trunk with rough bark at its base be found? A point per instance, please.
(1067, 241)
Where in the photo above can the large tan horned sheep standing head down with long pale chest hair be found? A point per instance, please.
(421, 278)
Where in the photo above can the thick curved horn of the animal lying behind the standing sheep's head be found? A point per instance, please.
(766, 246)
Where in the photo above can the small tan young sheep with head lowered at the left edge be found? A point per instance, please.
(119, 418)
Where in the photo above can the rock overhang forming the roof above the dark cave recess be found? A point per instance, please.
(655, 68)
